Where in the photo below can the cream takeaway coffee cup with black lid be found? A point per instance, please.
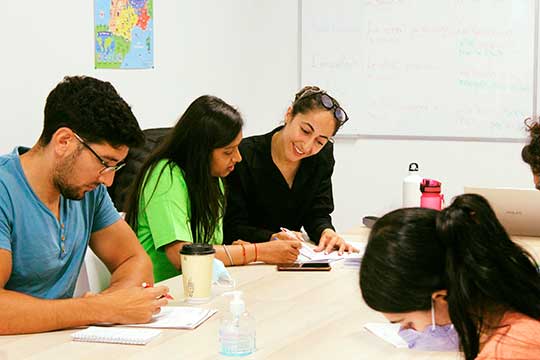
(197, 263)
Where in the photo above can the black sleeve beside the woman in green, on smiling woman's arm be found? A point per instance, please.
(236, 222)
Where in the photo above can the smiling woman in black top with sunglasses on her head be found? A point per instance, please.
(284, 180)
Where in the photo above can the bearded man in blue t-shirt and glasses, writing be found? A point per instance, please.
(53, 204)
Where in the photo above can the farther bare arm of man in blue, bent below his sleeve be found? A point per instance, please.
(117, 246)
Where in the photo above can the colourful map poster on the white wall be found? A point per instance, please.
(124, 35)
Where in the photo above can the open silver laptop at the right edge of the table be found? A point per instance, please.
(518, 210)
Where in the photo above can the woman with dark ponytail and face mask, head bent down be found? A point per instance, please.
(454, 279)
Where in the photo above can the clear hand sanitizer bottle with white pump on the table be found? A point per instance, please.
(237, 330)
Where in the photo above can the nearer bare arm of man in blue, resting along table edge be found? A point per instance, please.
(21, 313)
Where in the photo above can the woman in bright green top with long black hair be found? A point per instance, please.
(178, 196)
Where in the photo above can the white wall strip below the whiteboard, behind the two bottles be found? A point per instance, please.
(369, 172)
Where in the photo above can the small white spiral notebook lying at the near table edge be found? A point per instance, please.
(115, 335)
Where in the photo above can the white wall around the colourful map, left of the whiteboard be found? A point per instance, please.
(244, 51)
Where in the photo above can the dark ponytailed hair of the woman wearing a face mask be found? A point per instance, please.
(464, 249)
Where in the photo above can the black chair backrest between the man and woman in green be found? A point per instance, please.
(134, 160)
